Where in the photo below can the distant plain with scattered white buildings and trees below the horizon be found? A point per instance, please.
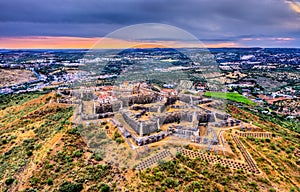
(269, 77)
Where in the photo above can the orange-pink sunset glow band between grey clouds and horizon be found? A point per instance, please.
(49, 42)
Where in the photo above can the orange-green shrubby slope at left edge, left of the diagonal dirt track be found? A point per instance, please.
(26, 128)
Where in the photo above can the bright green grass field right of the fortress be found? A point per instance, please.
(230, 96)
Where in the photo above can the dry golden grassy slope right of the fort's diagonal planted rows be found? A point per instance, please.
(276, 158)
